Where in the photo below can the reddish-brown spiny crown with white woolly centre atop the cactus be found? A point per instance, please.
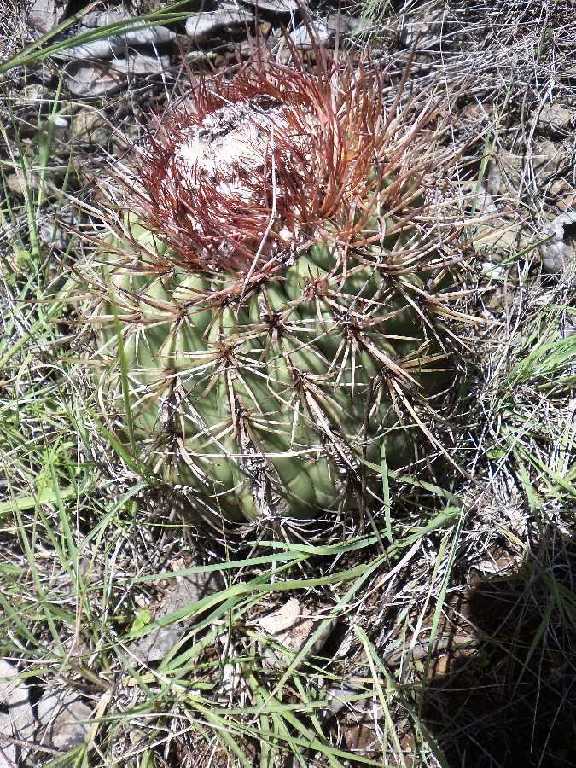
(248, 170)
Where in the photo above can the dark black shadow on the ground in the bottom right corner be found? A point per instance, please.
(513, 703)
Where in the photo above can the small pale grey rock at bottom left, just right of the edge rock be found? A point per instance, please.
(64, 720)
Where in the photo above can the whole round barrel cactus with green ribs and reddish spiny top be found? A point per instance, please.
(269, 315)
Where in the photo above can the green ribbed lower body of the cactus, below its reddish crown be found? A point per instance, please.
(269, 403)
